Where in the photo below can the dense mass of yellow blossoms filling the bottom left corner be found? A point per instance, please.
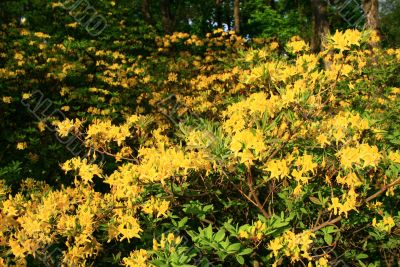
(32, 223)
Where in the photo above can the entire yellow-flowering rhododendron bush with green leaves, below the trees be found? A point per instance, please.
(210, 151)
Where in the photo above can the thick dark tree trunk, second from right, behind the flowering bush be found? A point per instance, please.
(320, 24)
